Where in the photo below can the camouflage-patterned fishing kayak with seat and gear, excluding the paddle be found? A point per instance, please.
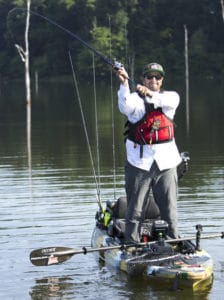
(176, 262)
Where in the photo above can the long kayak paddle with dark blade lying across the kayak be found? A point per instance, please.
(55, 255)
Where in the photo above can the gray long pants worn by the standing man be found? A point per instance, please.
(138, 184)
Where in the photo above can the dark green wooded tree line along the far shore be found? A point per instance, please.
(134, 32)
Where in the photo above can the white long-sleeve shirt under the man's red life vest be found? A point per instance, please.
(132, 105)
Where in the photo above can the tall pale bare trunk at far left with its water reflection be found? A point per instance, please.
(24, 54)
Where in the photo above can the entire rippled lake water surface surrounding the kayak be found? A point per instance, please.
(54, 202)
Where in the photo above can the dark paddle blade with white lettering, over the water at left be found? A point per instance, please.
(50, 256)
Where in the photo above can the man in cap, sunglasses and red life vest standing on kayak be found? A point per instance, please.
(152, 154)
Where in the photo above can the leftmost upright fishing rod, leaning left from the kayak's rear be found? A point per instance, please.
(85, 130)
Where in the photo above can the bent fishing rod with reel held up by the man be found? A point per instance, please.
(115, 64)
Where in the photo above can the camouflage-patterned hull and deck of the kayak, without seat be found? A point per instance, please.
(193, 270)
